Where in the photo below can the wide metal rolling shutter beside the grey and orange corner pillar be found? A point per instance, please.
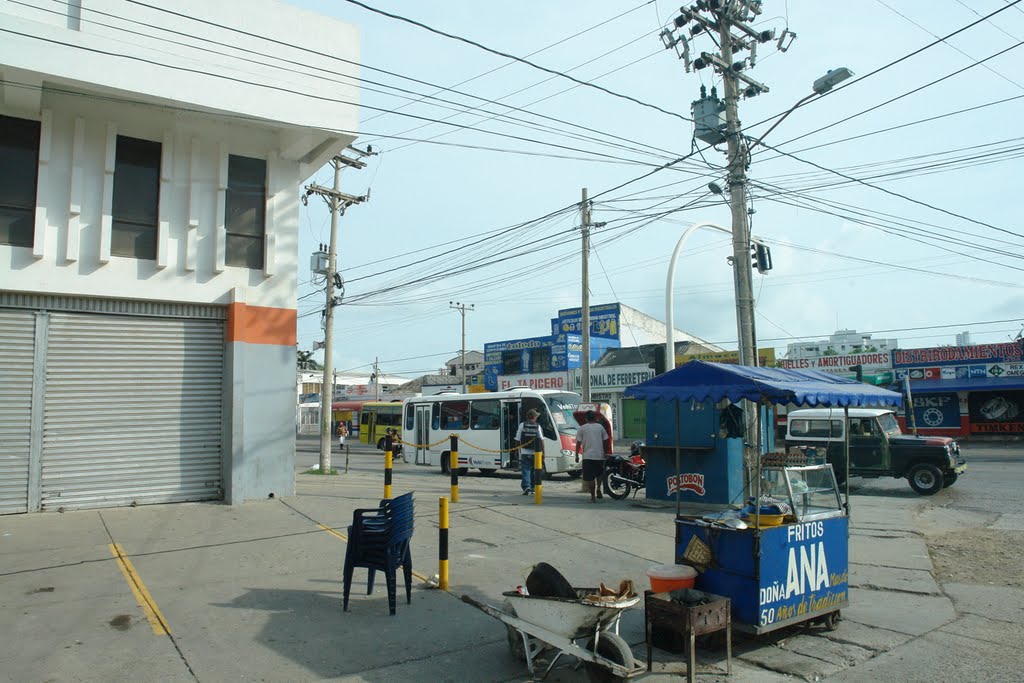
(134, 411)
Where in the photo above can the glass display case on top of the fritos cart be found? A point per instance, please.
(812, 491)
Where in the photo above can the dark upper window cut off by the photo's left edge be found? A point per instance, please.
(19, 168)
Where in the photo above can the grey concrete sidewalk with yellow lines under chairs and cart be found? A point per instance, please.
(210, 593)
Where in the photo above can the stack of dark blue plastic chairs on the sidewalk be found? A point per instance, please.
(379, 539)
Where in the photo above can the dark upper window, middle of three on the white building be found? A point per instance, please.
(137, 199)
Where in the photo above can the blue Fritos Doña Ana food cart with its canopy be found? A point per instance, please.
(788, 562)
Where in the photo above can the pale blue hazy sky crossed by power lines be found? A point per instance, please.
(891, 205)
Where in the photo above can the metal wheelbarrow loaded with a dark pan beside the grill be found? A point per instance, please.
(536, 624)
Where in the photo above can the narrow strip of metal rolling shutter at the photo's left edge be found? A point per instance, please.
(18, 343)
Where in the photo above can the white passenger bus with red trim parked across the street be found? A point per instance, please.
(487, 422)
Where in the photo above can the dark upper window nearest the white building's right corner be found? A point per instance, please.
(245, 211)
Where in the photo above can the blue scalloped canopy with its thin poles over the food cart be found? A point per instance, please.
(702, 381)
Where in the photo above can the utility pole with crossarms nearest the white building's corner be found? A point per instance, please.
(338, 202)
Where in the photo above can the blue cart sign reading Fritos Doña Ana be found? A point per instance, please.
(797, 581)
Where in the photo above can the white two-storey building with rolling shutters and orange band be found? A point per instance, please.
(149, 223)
